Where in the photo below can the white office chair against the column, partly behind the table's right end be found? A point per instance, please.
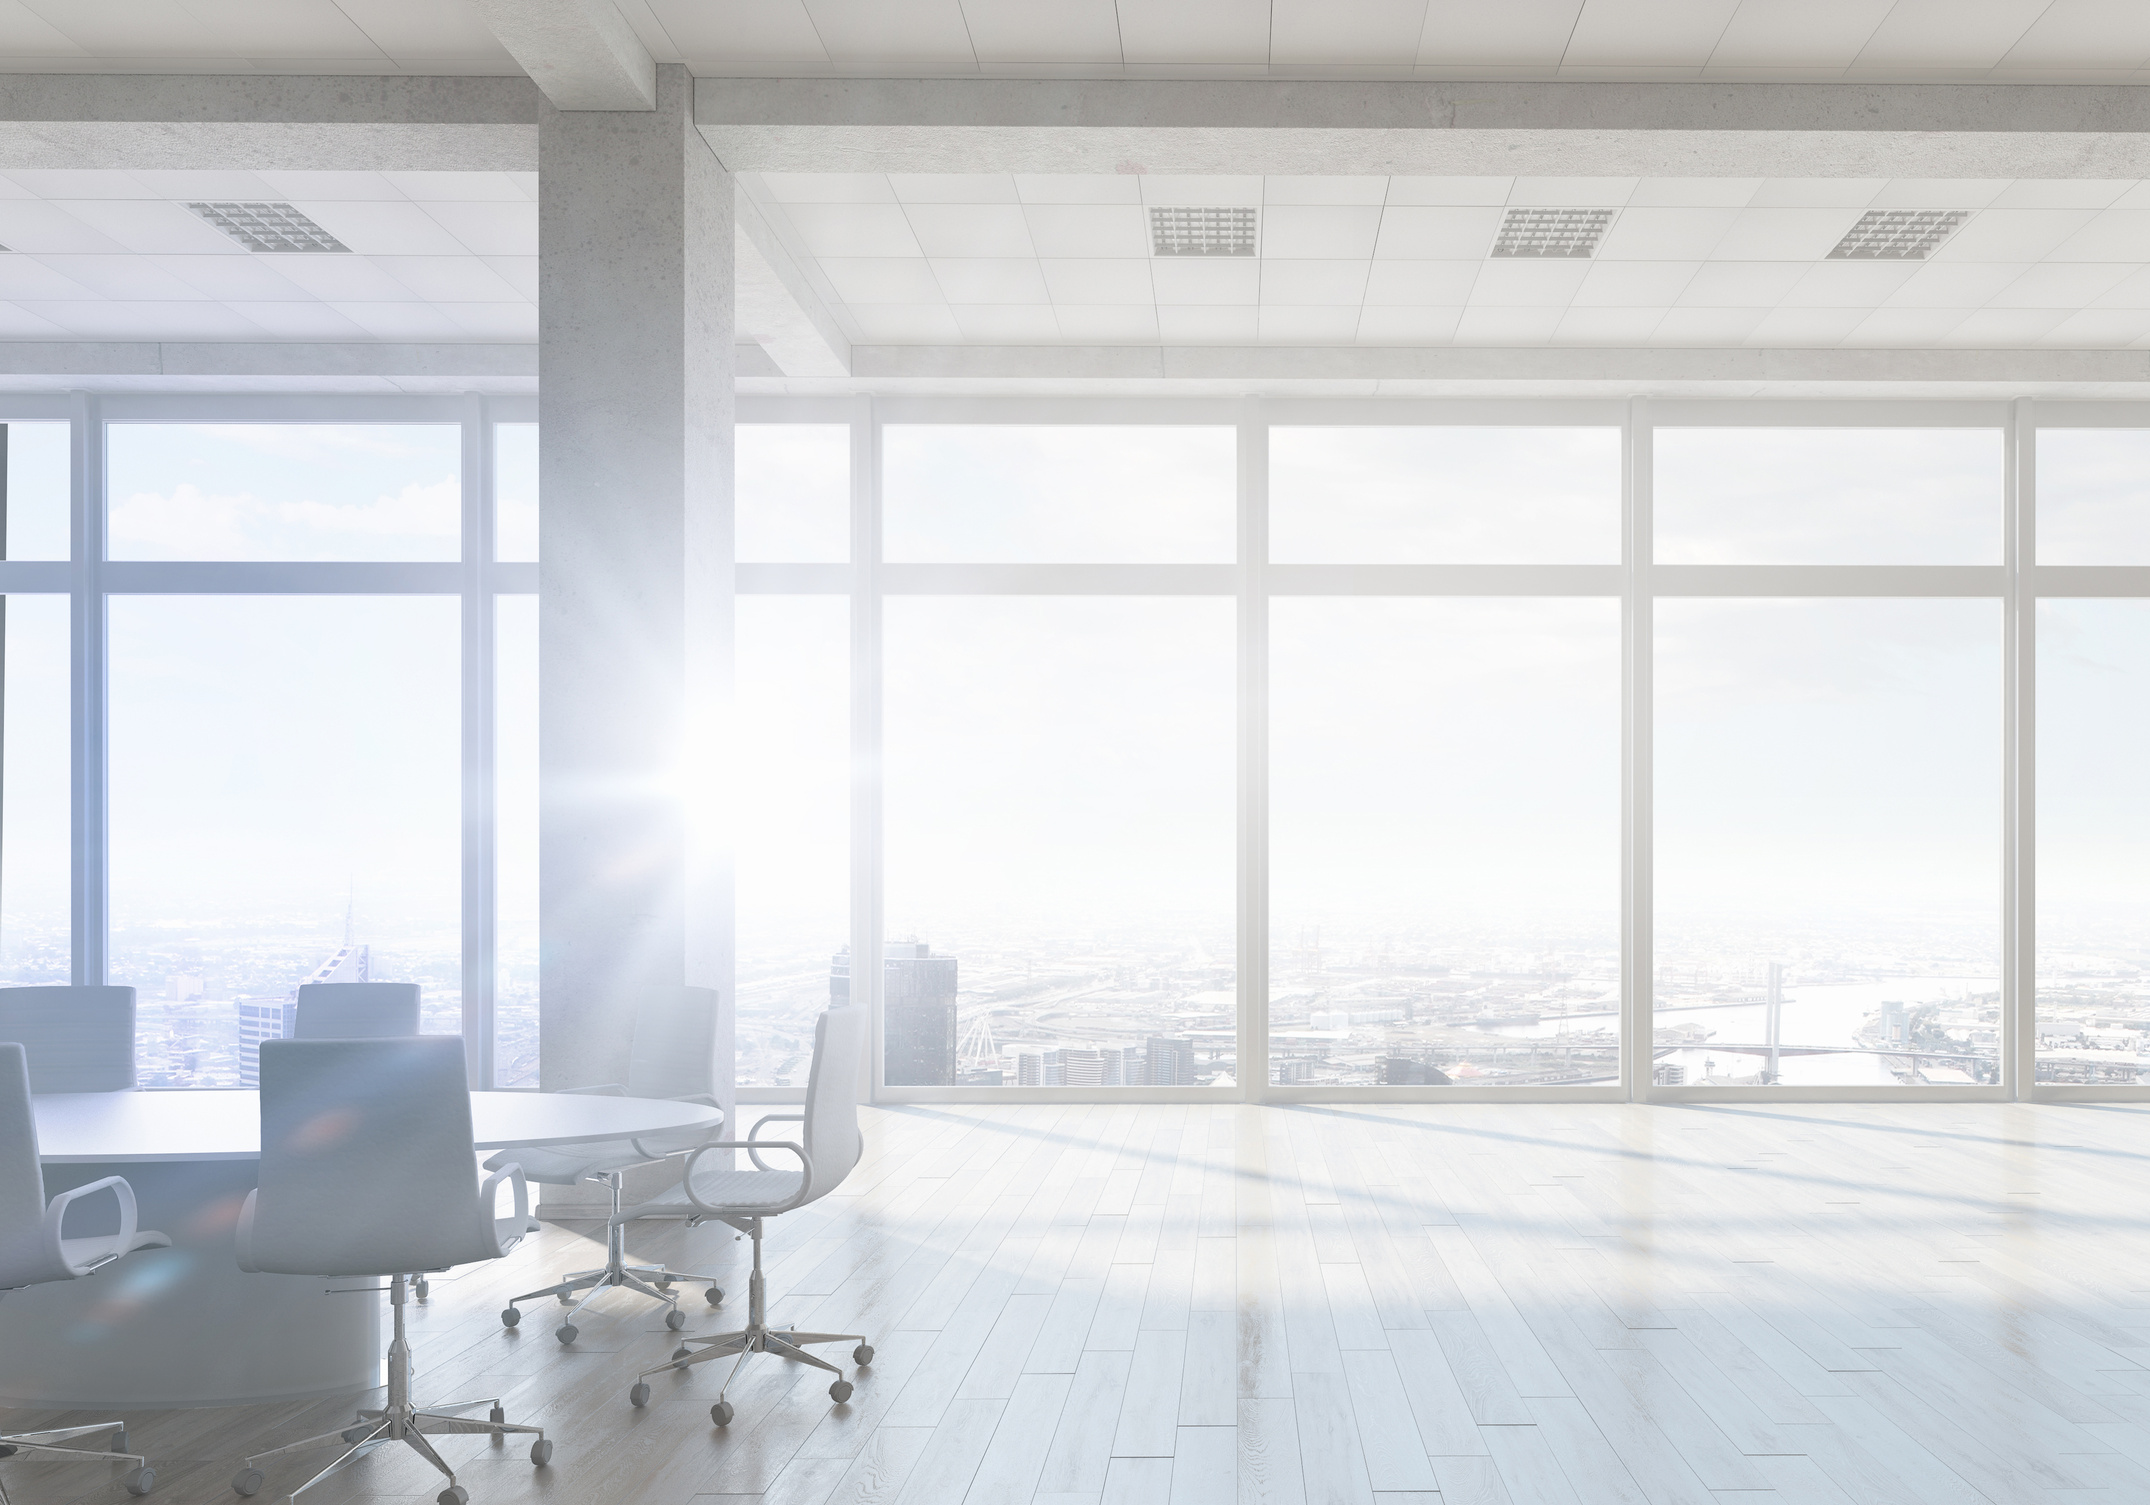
(674, 1057)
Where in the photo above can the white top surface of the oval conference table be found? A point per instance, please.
(225, 1126)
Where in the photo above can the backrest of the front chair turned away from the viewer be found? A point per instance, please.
(367, 1160)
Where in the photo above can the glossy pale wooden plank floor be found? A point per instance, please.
(1399, 1306)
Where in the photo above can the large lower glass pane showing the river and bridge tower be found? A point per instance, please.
(1829, 842)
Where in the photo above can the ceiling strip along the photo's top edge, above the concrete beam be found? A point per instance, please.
(1654, 40)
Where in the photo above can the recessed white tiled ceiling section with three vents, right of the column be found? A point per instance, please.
(1706, 263)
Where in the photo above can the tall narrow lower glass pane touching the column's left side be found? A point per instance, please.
(515, 842)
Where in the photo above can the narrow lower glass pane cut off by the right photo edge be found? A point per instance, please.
(2093, 842)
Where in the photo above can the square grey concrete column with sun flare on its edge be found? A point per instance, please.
(635, 577)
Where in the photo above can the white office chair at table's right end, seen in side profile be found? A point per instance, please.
(747, 1196)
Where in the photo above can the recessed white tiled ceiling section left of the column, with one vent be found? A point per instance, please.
(438, 257)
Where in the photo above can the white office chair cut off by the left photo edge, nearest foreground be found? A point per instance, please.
(35, 1250)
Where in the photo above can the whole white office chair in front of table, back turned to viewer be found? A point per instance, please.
(367, 1173)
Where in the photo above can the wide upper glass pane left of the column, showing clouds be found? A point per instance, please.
(285, 491)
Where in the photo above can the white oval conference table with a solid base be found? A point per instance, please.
(186, 1325)
